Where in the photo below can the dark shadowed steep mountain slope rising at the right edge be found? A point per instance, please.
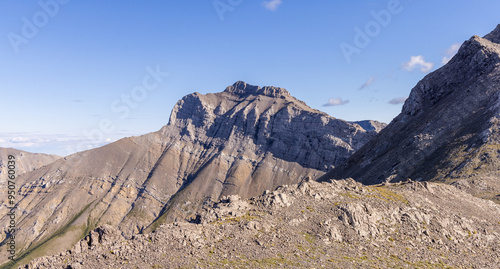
(448, 130)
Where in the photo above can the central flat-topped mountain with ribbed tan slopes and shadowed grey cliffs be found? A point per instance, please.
(242, 141)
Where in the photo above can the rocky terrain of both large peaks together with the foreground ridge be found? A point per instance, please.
(229, 183)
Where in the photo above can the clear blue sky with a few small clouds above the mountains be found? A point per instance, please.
(66, 65)
